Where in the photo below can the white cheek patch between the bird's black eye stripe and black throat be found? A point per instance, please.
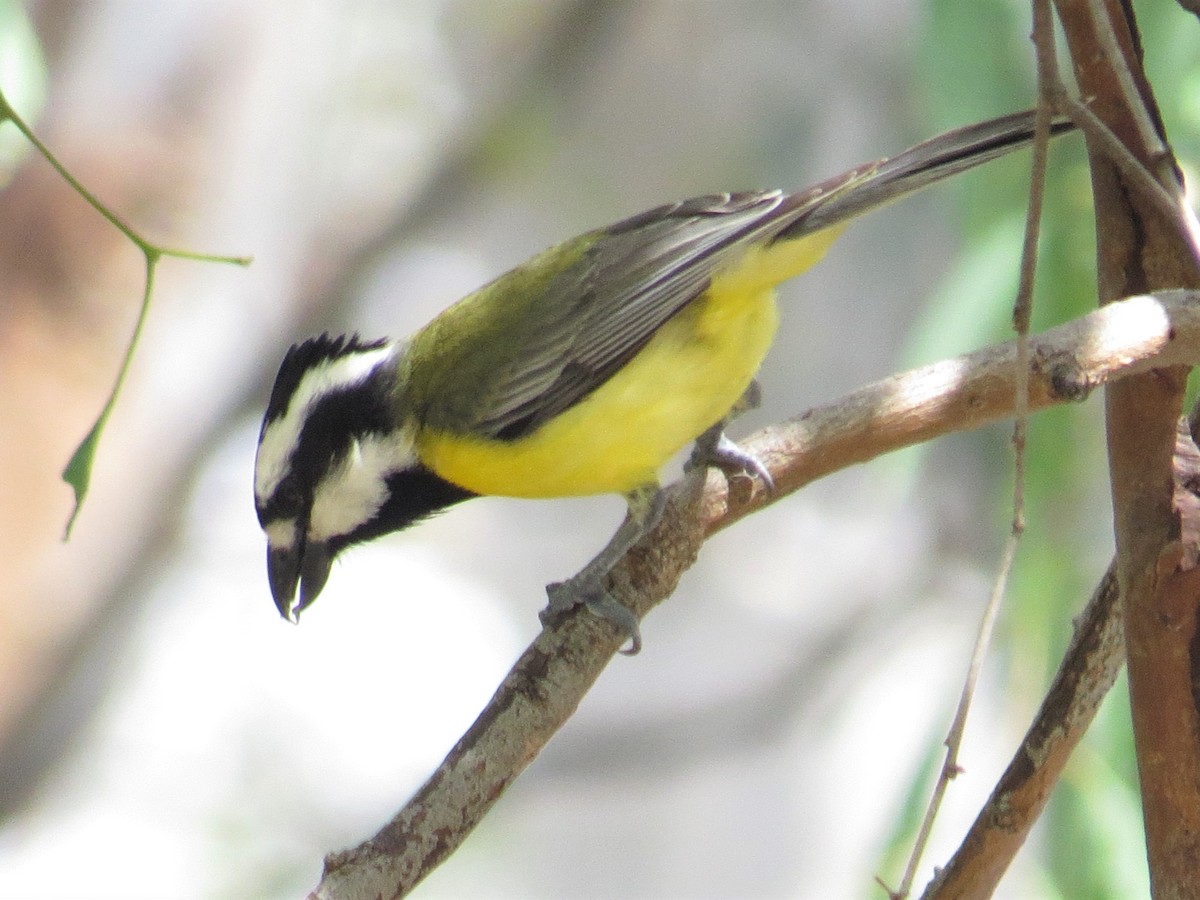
(353, 493)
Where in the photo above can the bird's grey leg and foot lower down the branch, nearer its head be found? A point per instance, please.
(589, 587)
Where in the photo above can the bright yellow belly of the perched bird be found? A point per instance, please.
(687, 379)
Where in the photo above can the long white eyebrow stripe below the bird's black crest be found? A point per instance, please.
(280, 439)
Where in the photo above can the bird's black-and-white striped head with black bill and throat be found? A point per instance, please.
(337, 464)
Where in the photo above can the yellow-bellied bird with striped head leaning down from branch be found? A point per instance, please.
(581, 371)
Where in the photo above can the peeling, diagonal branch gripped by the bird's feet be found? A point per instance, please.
(554, 675)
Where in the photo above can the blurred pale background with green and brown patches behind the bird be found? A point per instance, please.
(165, 734)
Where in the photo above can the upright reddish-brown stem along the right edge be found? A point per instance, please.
(1143, 247)
